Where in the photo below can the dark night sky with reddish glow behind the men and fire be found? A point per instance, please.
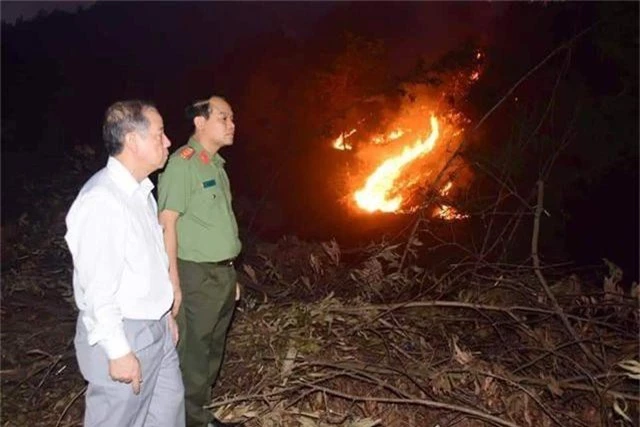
(62, 68)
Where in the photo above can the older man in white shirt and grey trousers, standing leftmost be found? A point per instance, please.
(125, 338)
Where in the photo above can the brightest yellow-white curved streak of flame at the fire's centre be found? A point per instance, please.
(376, 193)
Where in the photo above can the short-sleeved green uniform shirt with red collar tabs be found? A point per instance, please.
(195, 185)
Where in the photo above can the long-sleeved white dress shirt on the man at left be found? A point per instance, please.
(121, 268)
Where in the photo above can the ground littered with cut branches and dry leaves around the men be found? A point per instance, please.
(315, 344)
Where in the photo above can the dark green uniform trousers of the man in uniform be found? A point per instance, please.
(208, 302)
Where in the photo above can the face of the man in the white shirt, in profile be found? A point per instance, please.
(153, 145)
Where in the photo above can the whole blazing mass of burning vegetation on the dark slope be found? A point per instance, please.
(414, 147)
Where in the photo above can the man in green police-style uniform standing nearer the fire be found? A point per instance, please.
(201, 238)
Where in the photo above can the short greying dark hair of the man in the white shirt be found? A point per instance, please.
(121, 118)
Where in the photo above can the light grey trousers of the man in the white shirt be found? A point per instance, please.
(111, 403)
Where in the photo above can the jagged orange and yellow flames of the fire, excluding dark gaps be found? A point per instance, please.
(394, 180)
